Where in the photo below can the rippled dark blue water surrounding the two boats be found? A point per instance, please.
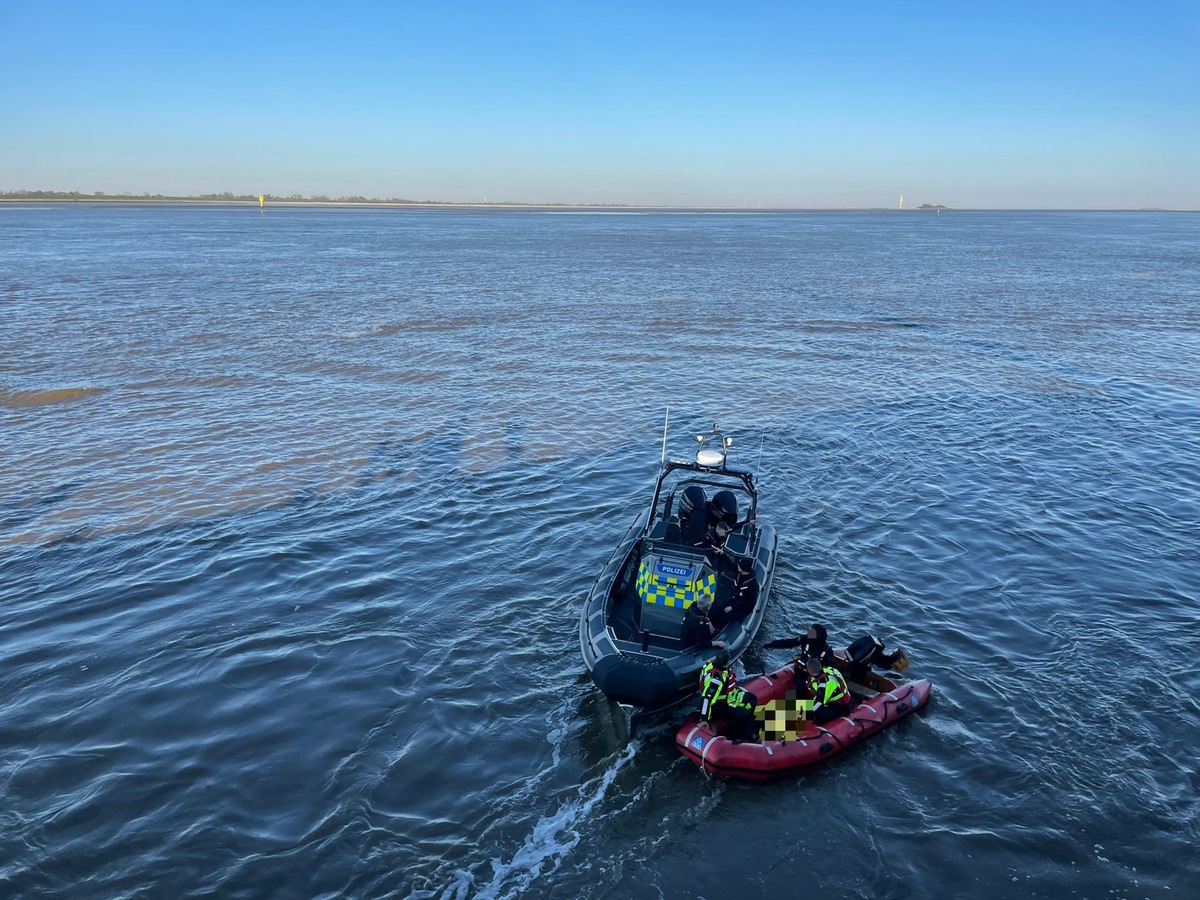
(298, 511)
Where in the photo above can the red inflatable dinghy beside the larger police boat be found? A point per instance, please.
(705, 746)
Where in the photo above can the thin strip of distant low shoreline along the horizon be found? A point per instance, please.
(122, 201)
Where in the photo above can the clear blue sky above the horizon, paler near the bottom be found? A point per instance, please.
(1019, 105)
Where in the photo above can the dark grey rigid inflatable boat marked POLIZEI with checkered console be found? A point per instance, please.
(637, 644)
